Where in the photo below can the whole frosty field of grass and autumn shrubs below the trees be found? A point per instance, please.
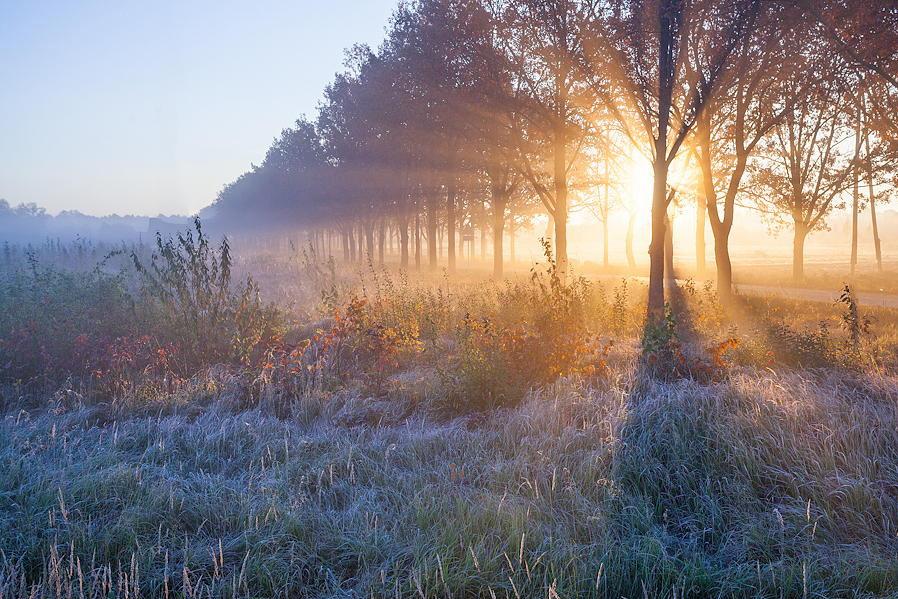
(172, 429)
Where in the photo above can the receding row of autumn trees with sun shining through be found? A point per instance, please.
(480, 112)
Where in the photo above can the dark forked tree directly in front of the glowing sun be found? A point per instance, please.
(667, 60)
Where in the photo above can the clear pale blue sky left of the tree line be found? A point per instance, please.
(151, 107)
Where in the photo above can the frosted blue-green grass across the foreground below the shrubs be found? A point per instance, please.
(778, 485)
